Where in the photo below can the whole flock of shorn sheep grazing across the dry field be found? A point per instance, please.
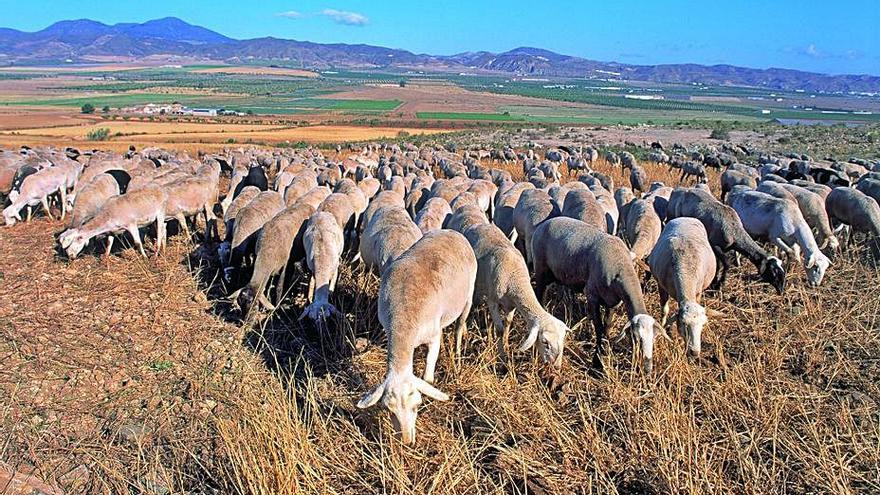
(444, 231)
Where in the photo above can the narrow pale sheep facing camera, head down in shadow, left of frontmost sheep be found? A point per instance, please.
(323, 241)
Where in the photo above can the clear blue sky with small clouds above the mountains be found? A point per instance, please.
(834, 37)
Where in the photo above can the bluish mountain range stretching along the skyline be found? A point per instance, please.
(84, 40)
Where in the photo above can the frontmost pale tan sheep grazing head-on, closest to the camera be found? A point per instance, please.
(441, 268)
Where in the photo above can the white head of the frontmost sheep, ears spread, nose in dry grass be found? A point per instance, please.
(402, 395)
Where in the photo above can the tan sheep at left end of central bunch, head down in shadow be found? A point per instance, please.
(248, 222)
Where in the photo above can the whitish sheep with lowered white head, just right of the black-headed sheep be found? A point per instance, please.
(781, 221)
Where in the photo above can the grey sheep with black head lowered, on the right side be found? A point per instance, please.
(726, 233)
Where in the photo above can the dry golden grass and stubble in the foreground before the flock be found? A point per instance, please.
(783, 401)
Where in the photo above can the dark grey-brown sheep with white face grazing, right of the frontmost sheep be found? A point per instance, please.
(574, 254)
